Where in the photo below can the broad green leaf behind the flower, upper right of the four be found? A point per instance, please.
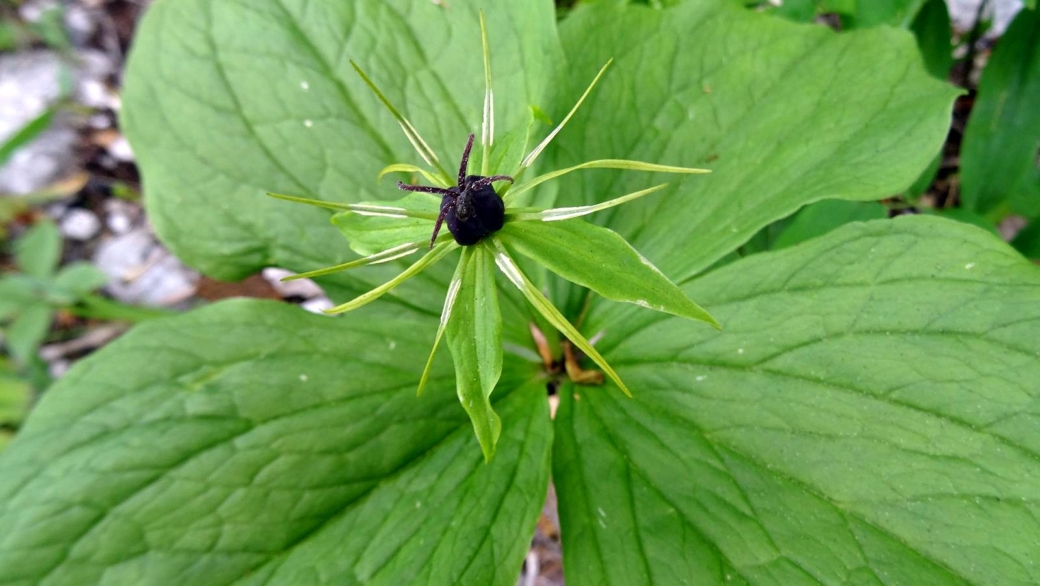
(784, 114)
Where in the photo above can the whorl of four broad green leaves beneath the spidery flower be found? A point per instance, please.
(867, 414)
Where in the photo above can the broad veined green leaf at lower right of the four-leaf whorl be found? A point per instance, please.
(869, 415)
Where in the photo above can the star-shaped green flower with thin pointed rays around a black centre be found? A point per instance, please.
(490, 228)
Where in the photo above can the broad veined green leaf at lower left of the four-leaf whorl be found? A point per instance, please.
(251, 442)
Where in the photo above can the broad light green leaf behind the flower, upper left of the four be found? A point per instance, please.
(228, 100)
